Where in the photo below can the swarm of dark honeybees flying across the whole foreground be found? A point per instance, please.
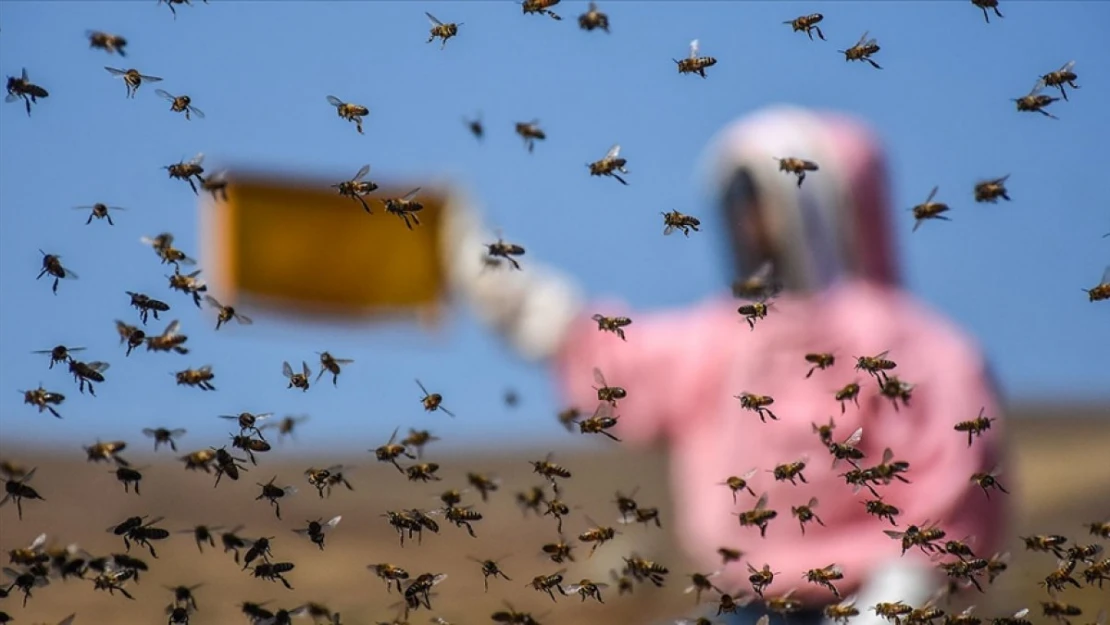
(37, 566)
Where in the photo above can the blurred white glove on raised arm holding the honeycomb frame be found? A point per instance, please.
(533, 308)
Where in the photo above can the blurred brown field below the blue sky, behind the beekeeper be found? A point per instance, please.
(1059, 470)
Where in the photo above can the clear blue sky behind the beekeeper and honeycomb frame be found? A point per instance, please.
(1010, 274)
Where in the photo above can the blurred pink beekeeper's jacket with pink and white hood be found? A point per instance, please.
(683, 369)
